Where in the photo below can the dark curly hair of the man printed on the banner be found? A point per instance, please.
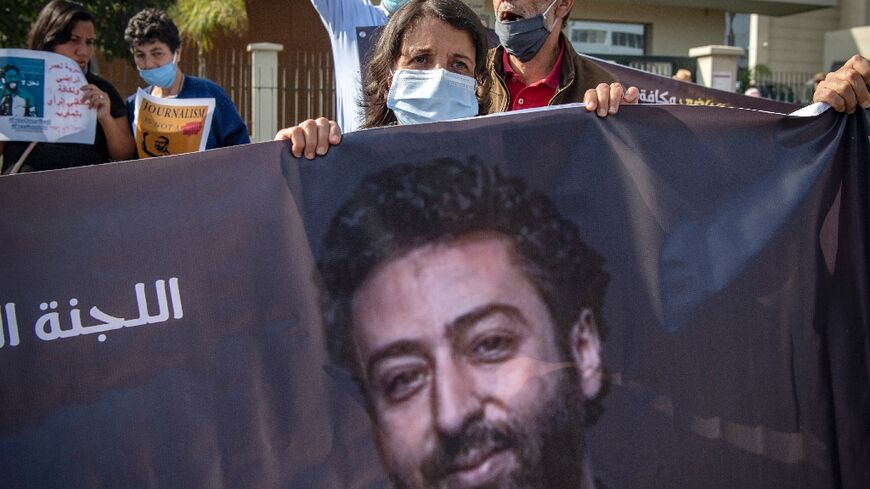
(408, 206)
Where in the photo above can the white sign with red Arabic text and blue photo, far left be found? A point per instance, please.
(40, 99)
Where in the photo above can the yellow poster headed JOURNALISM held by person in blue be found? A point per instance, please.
(165, 126)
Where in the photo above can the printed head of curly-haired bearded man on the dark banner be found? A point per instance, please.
(468, 310)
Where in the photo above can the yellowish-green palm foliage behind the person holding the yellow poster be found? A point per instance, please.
(200, 21)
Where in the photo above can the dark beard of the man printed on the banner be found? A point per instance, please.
(548, 447)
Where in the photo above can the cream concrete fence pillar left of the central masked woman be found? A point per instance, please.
(264, 90)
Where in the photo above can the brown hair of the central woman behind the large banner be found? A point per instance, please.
(389, 48)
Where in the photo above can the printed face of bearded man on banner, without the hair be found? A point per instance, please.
(463, 371)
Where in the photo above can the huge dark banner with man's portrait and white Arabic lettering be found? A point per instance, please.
(183, 323)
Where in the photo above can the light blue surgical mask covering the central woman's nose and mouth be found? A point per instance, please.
(418, 96)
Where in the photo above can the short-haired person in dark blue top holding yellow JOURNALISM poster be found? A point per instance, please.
(166, 118)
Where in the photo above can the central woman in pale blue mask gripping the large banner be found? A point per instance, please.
(428, 65)
